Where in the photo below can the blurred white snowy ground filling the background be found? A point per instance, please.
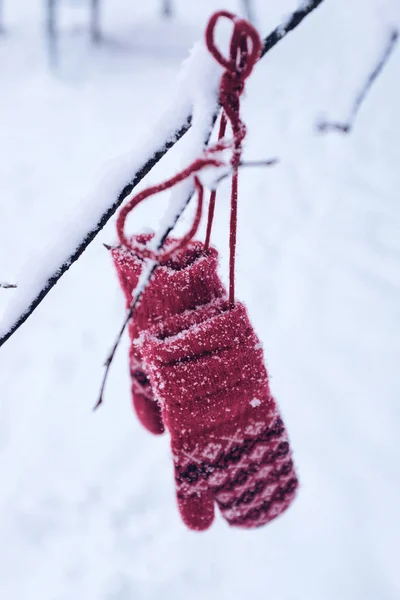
(87, 509)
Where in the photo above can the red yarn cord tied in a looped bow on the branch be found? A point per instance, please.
(245, 49)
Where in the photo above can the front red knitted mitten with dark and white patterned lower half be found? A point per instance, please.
(228, 440)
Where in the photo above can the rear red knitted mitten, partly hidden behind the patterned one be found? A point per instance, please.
(187, 280)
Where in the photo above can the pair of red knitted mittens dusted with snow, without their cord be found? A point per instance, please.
(197, 368)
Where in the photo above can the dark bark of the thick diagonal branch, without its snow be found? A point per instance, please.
(270, 41)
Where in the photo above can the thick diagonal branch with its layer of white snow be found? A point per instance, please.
(171, 127)
